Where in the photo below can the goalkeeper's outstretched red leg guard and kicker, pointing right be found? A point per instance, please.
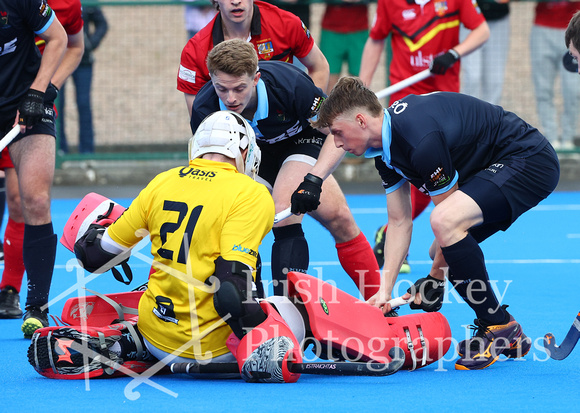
(355, 330)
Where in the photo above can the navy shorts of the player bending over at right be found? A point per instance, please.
(510, 187)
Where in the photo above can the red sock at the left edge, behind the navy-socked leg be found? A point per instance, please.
(13, 261)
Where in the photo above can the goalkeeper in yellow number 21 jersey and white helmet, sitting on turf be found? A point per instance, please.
(206, 221)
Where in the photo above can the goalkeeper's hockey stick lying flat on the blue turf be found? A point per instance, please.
(339, 368)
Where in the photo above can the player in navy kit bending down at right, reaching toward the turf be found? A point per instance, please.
(482, 166)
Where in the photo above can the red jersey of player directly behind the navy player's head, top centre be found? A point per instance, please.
(276, 34)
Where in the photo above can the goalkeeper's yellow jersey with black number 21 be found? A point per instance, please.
(193, 214)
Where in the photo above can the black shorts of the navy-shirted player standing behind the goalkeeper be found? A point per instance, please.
(300, 148)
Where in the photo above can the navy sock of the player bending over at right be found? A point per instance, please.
(467, 269)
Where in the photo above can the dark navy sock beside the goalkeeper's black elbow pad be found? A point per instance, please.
(289, 253)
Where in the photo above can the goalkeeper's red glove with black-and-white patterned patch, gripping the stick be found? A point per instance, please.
(263, 353)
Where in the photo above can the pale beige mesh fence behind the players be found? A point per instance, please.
(139, 114)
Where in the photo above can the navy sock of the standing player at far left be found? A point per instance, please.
(38, 253)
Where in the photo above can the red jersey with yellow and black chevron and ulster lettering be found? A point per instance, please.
(420, 33)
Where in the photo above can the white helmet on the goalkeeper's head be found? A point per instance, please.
(227, 133)
